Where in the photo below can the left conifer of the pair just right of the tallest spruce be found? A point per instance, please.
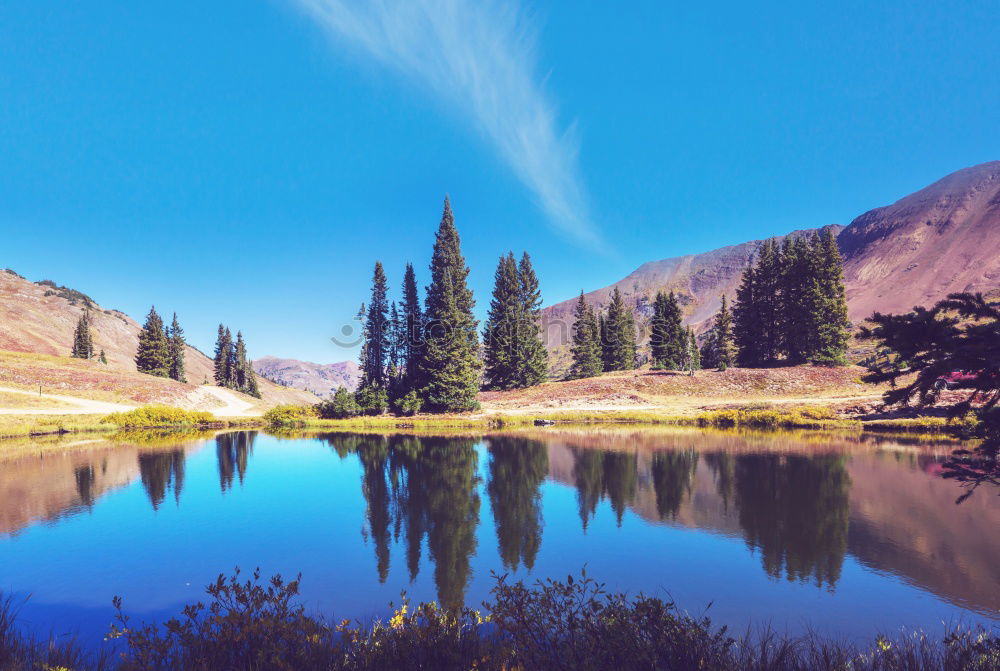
(500, 337)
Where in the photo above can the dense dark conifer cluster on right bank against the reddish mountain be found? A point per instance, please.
(791, 306)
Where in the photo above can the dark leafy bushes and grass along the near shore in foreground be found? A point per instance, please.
(552, 625)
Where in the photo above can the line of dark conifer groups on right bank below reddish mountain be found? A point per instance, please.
(790, 308)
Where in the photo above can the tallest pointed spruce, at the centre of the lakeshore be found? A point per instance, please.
(450, 366)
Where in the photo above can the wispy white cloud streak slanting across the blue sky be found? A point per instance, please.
(479, 56)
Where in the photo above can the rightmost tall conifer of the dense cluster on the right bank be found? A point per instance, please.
(829, 304)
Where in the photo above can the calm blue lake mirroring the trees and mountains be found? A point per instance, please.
(839, 535)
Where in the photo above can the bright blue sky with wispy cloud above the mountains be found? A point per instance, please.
(247, 161)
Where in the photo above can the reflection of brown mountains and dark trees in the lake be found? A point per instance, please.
(800, 503)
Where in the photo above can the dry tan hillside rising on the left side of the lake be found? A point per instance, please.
(39, 318)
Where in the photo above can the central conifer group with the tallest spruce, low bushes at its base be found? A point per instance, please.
(428, 356)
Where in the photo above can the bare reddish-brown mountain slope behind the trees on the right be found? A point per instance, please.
(943, 238)
